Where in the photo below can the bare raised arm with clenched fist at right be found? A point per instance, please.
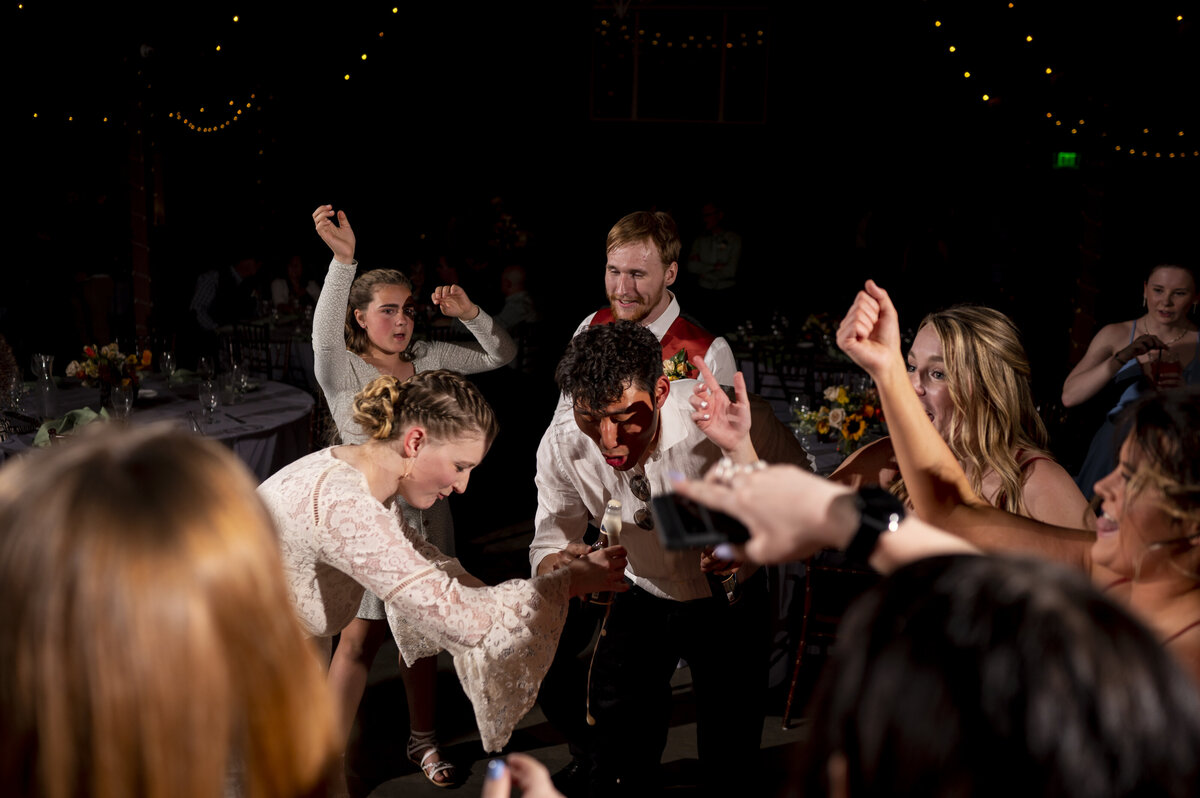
(938, 488)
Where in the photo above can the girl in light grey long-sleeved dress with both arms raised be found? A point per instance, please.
(363, 328)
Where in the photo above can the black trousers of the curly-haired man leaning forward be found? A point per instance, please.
(725, 647)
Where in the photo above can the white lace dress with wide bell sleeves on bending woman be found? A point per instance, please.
(338, 539)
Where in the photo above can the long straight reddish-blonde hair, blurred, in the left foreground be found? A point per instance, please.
(151, 647)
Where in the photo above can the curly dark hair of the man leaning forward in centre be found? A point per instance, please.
(604, 361)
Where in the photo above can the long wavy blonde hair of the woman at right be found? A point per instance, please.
(988, 374)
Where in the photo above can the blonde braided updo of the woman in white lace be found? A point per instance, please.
(446, 404)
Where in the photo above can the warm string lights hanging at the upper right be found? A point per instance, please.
(1139, 141)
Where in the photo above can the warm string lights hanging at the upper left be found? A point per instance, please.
(206, 118)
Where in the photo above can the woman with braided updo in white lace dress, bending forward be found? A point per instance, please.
(341, 532)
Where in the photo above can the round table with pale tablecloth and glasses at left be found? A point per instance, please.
(267, 427)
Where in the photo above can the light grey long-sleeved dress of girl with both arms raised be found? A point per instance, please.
(343, 375)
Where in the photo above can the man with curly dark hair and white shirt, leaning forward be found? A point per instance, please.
(623, 433)
